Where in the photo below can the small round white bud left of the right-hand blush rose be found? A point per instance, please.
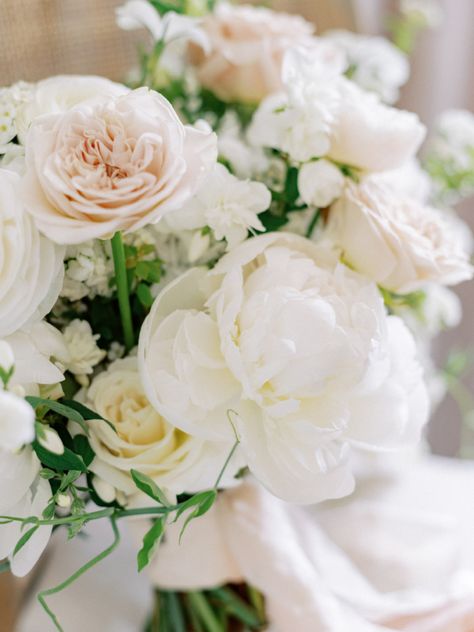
(320, 183)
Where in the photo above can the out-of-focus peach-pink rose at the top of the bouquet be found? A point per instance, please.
(247, 48)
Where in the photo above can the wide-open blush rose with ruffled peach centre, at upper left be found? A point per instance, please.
(112, 163)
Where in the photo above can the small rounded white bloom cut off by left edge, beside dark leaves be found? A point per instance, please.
(17, 422)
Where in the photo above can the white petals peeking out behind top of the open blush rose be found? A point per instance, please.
(61, 93)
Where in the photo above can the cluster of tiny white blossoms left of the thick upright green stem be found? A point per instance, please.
(88, 269)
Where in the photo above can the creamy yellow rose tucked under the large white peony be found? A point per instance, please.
(145, 441)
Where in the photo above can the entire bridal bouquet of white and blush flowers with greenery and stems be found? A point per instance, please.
(228, 271)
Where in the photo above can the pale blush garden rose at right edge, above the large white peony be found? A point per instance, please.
(395, 241)
